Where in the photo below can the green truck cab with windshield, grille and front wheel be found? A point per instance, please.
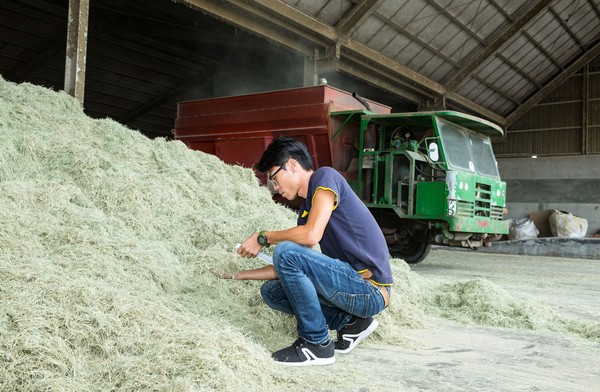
(428, 177)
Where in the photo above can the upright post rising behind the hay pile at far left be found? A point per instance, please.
(77, 33)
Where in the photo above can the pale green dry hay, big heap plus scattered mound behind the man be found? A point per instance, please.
(106, 242)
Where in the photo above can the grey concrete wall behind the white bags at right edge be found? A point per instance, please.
(565, 183)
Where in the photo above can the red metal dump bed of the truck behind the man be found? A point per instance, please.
(237, 129)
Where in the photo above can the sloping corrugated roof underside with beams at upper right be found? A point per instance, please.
(493, 54)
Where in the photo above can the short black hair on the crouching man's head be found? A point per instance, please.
(282, 149)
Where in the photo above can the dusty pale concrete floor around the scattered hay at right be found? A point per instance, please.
(451, 357)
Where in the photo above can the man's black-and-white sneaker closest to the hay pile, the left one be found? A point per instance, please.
(302, 353)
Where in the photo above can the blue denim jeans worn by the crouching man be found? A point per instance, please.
(323, 293)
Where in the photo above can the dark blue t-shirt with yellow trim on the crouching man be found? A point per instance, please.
(352, 234)
